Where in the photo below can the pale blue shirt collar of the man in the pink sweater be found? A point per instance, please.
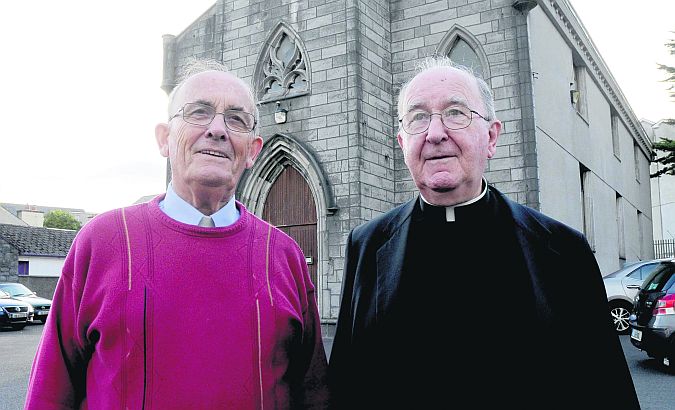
(180, 210)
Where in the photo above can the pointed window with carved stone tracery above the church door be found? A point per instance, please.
(282, 70)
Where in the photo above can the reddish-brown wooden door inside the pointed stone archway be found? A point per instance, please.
(290, 207)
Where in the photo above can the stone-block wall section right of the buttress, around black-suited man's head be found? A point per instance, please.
(417, 30)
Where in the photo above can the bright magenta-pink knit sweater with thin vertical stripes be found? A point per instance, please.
(197, 318)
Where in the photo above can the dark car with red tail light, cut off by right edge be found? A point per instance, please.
(653, 320)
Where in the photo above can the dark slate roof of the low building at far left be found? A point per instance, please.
(34, 241)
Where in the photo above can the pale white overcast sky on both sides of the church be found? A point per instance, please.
(81, 93)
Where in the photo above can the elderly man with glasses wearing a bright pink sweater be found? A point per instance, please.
(188, 301)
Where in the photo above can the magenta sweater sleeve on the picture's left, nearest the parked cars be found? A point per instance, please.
(57, 379)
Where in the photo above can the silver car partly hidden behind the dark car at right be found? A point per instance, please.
(623, 285)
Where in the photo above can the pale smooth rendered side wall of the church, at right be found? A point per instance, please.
(565, 140)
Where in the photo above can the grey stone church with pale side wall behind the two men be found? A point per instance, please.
(327, 75)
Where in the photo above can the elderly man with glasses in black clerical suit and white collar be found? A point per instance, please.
(462, 298)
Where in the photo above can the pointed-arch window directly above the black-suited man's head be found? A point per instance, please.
(463, 48)
